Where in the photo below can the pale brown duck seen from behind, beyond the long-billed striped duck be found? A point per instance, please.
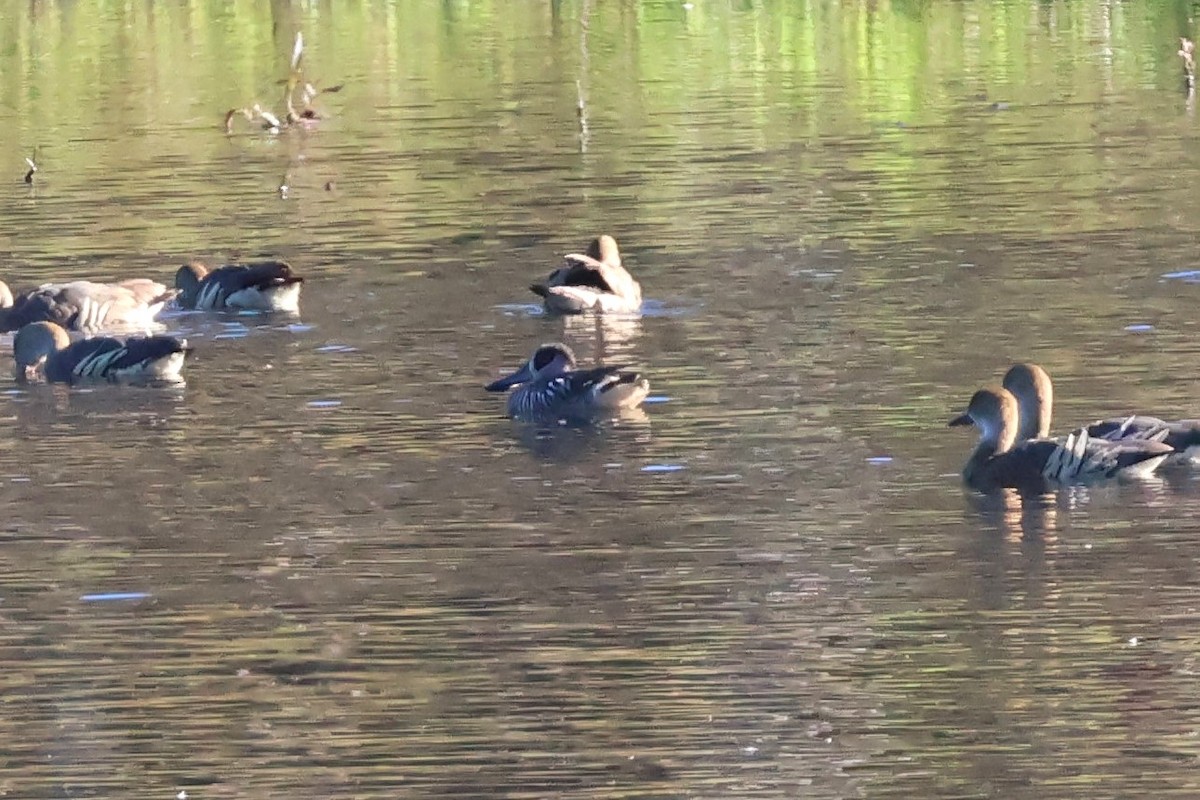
(596, 281)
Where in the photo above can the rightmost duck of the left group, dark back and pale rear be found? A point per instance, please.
(265, 286)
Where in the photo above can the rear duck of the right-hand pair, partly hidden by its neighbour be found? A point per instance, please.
(1035, 396)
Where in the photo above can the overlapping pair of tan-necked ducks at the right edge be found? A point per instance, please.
(1015, 448)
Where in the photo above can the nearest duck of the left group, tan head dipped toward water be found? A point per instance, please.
(46, 350)
